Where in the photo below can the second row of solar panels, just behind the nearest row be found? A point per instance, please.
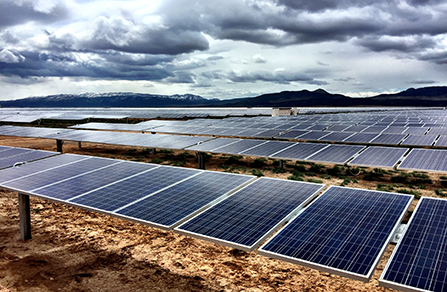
(416, 159)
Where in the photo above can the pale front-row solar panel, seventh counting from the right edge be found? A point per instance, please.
(57, 174)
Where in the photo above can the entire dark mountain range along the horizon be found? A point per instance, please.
(427, 96)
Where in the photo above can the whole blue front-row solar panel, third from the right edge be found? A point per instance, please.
(249, 216)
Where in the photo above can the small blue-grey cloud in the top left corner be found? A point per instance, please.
(17, 12)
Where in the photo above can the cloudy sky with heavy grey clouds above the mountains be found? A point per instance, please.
(221, 49)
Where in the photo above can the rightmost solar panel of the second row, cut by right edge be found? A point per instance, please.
(425, 159)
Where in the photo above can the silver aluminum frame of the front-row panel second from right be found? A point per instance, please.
(331, 270)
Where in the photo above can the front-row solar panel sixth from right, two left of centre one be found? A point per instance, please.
(76, 186)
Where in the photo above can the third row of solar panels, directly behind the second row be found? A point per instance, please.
(353, 134)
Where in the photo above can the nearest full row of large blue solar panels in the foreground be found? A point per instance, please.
(343, 231)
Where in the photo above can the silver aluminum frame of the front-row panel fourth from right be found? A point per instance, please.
(188, 217)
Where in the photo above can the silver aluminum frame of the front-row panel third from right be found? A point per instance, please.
(286, 219)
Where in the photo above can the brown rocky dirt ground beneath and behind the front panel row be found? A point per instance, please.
(77, 250)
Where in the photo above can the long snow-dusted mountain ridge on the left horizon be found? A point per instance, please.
(115, 99)
